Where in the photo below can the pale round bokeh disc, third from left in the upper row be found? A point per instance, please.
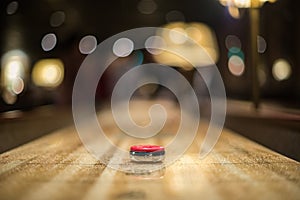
(123, 47)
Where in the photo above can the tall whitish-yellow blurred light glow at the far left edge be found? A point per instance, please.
(14, 66)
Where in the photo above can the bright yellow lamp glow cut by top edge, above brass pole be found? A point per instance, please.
(245, 3)
